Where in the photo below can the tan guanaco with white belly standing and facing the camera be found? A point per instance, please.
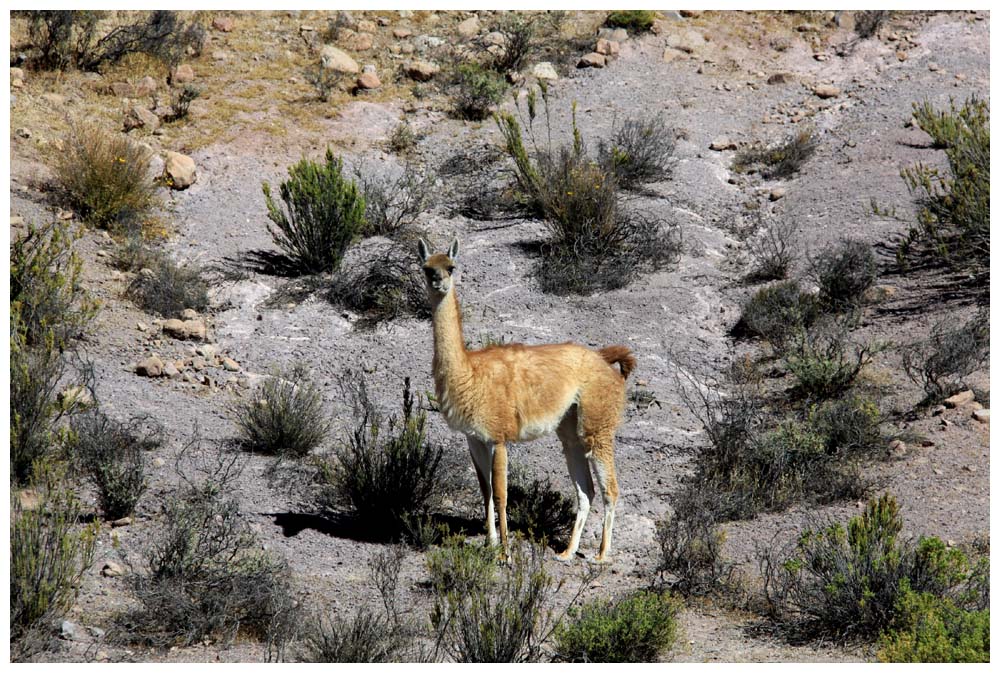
(513, 392)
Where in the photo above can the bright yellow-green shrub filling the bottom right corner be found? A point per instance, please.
(929, 628)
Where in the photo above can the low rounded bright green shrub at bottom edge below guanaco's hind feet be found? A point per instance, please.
(636, 628)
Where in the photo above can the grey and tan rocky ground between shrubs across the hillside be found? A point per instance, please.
(723, 80)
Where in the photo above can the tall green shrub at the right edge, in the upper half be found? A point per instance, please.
(953, 225)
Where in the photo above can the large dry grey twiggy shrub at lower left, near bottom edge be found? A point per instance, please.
(204, 574)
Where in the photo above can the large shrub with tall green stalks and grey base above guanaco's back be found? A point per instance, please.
(595, 242)
